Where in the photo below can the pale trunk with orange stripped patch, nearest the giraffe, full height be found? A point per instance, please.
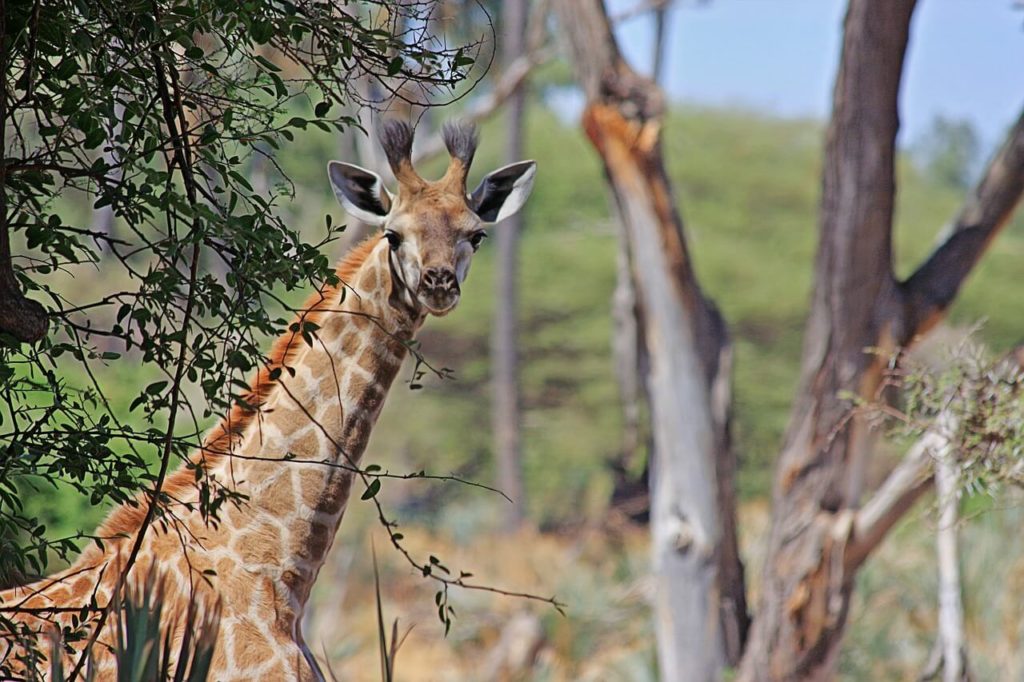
(701, 609)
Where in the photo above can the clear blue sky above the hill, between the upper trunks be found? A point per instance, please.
(966, 59)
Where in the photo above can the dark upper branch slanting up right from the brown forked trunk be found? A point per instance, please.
(934, 285)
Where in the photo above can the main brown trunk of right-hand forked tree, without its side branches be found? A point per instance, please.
(806, 594)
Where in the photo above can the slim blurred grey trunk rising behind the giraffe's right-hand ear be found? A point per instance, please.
(506, 417)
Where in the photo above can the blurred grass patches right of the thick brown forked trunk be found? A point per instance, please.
(893, 619)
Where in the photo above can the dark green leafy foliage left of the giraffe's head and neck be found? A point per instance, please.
(165, 115)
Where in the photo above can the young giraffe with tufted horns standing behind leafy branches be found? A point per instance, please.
(289, 447)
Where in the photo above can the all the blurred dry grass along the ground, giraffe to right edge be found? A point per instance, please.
(602, 574)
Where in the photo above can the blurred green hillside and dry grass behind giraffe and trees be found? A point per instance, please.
(749, 187)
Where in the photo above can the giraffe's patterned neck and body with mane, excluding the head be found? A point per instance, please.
(293, 458)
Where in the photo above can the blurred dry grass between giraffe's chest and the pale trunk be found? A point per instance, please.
(599, 573)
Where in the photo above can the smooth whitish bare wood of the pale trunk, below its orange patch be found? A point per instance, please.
(685, 519)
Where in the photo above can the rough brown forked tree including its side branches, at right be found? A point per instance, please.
(819, 538)
